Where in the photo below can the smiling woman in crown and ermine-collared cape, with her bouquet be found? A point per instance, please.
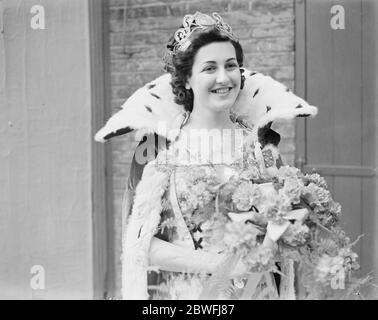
(234, 226)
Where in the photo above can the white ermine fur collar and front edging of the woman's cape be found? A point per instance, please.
(152, 110)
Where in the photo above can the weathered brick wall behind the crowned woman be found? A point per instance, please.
(138, 30)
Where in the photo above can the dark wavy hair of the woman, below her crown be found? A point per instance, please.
(182, 63)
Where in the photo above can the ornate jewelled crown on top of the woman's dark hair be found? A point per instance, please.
(193, 23)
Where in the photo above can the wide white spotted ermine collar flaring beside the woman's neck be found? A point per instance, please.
(152, 107)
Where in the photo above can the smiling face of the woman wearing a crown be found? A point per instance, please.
(216, 77)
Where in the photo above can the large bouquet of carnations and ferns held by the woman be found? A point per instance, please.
(296, 213)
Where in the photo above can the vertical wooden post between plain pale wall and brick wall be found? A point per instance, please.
(100, 87)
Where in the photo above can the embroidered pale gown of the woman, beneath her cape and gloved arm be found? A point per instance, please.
(187, 217)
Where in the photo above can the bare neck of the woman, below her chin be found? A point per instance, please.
(207, 119)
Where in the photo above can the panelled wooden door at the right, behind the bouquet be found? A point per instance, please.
(336, 71)
